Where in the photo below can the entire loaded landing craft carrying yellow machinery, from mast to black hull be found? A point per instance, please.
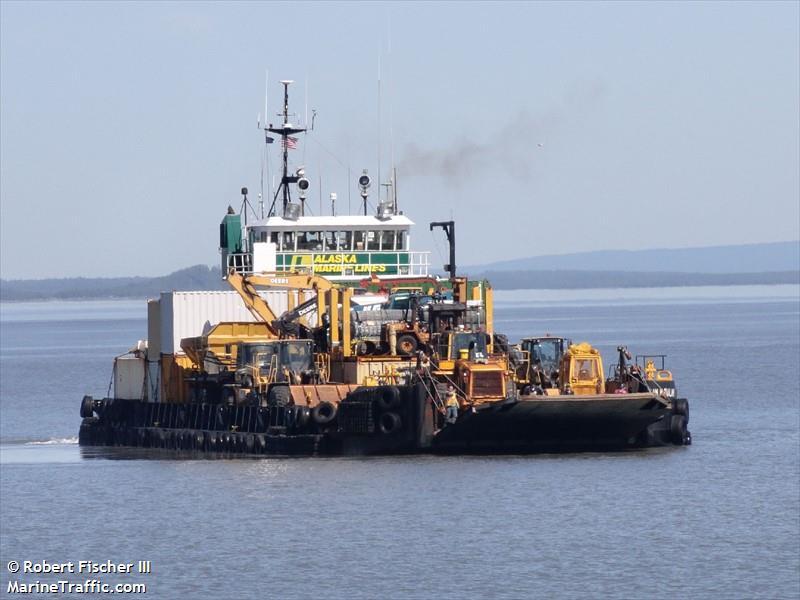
(336, 340)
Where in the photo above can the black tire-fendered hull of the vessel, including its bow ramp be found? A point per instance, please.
(363, 426)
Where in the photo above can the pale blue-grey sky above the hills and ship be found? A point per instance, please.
(126, 129)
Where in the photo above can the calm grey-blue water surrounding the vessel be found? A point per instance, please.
(719, 519)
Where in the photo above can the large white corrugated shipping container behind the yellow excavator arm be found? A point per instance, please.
(189, 314)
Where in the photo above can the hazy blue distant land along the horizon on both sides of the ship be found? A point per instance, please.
(720, 265)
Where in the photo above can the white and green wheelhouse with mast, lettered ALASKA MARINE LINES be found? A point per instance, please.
(343, 248)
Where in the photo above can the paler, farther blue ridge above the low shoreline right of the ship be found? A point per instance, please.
(749, 258)
